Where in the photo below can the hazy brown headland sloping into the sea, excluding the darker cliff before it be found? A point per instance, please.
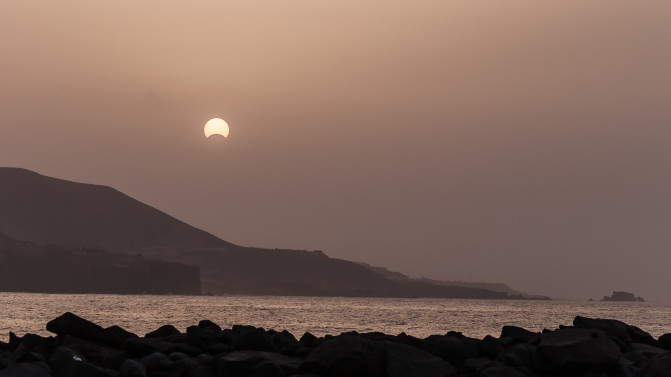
(79, 216)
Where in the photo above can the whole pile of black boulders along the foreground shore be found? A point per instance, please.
(590, 347)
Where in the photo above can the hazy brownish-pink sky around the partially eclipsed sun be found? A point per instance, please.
(526, 142)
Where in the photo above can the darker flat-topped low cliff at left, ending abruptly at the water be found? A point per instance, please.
(30, 267)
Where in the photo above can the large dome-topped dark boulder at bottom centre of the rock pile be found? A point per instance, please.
(345, 356)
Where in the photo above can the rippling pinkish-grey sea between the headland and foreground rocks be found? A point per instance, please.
(23, 313)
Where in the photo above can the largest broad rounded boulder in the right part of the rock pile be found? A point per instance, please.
(579, 349)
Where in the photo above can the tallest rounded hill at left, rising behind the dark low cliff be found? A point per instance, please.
(49, 210)
